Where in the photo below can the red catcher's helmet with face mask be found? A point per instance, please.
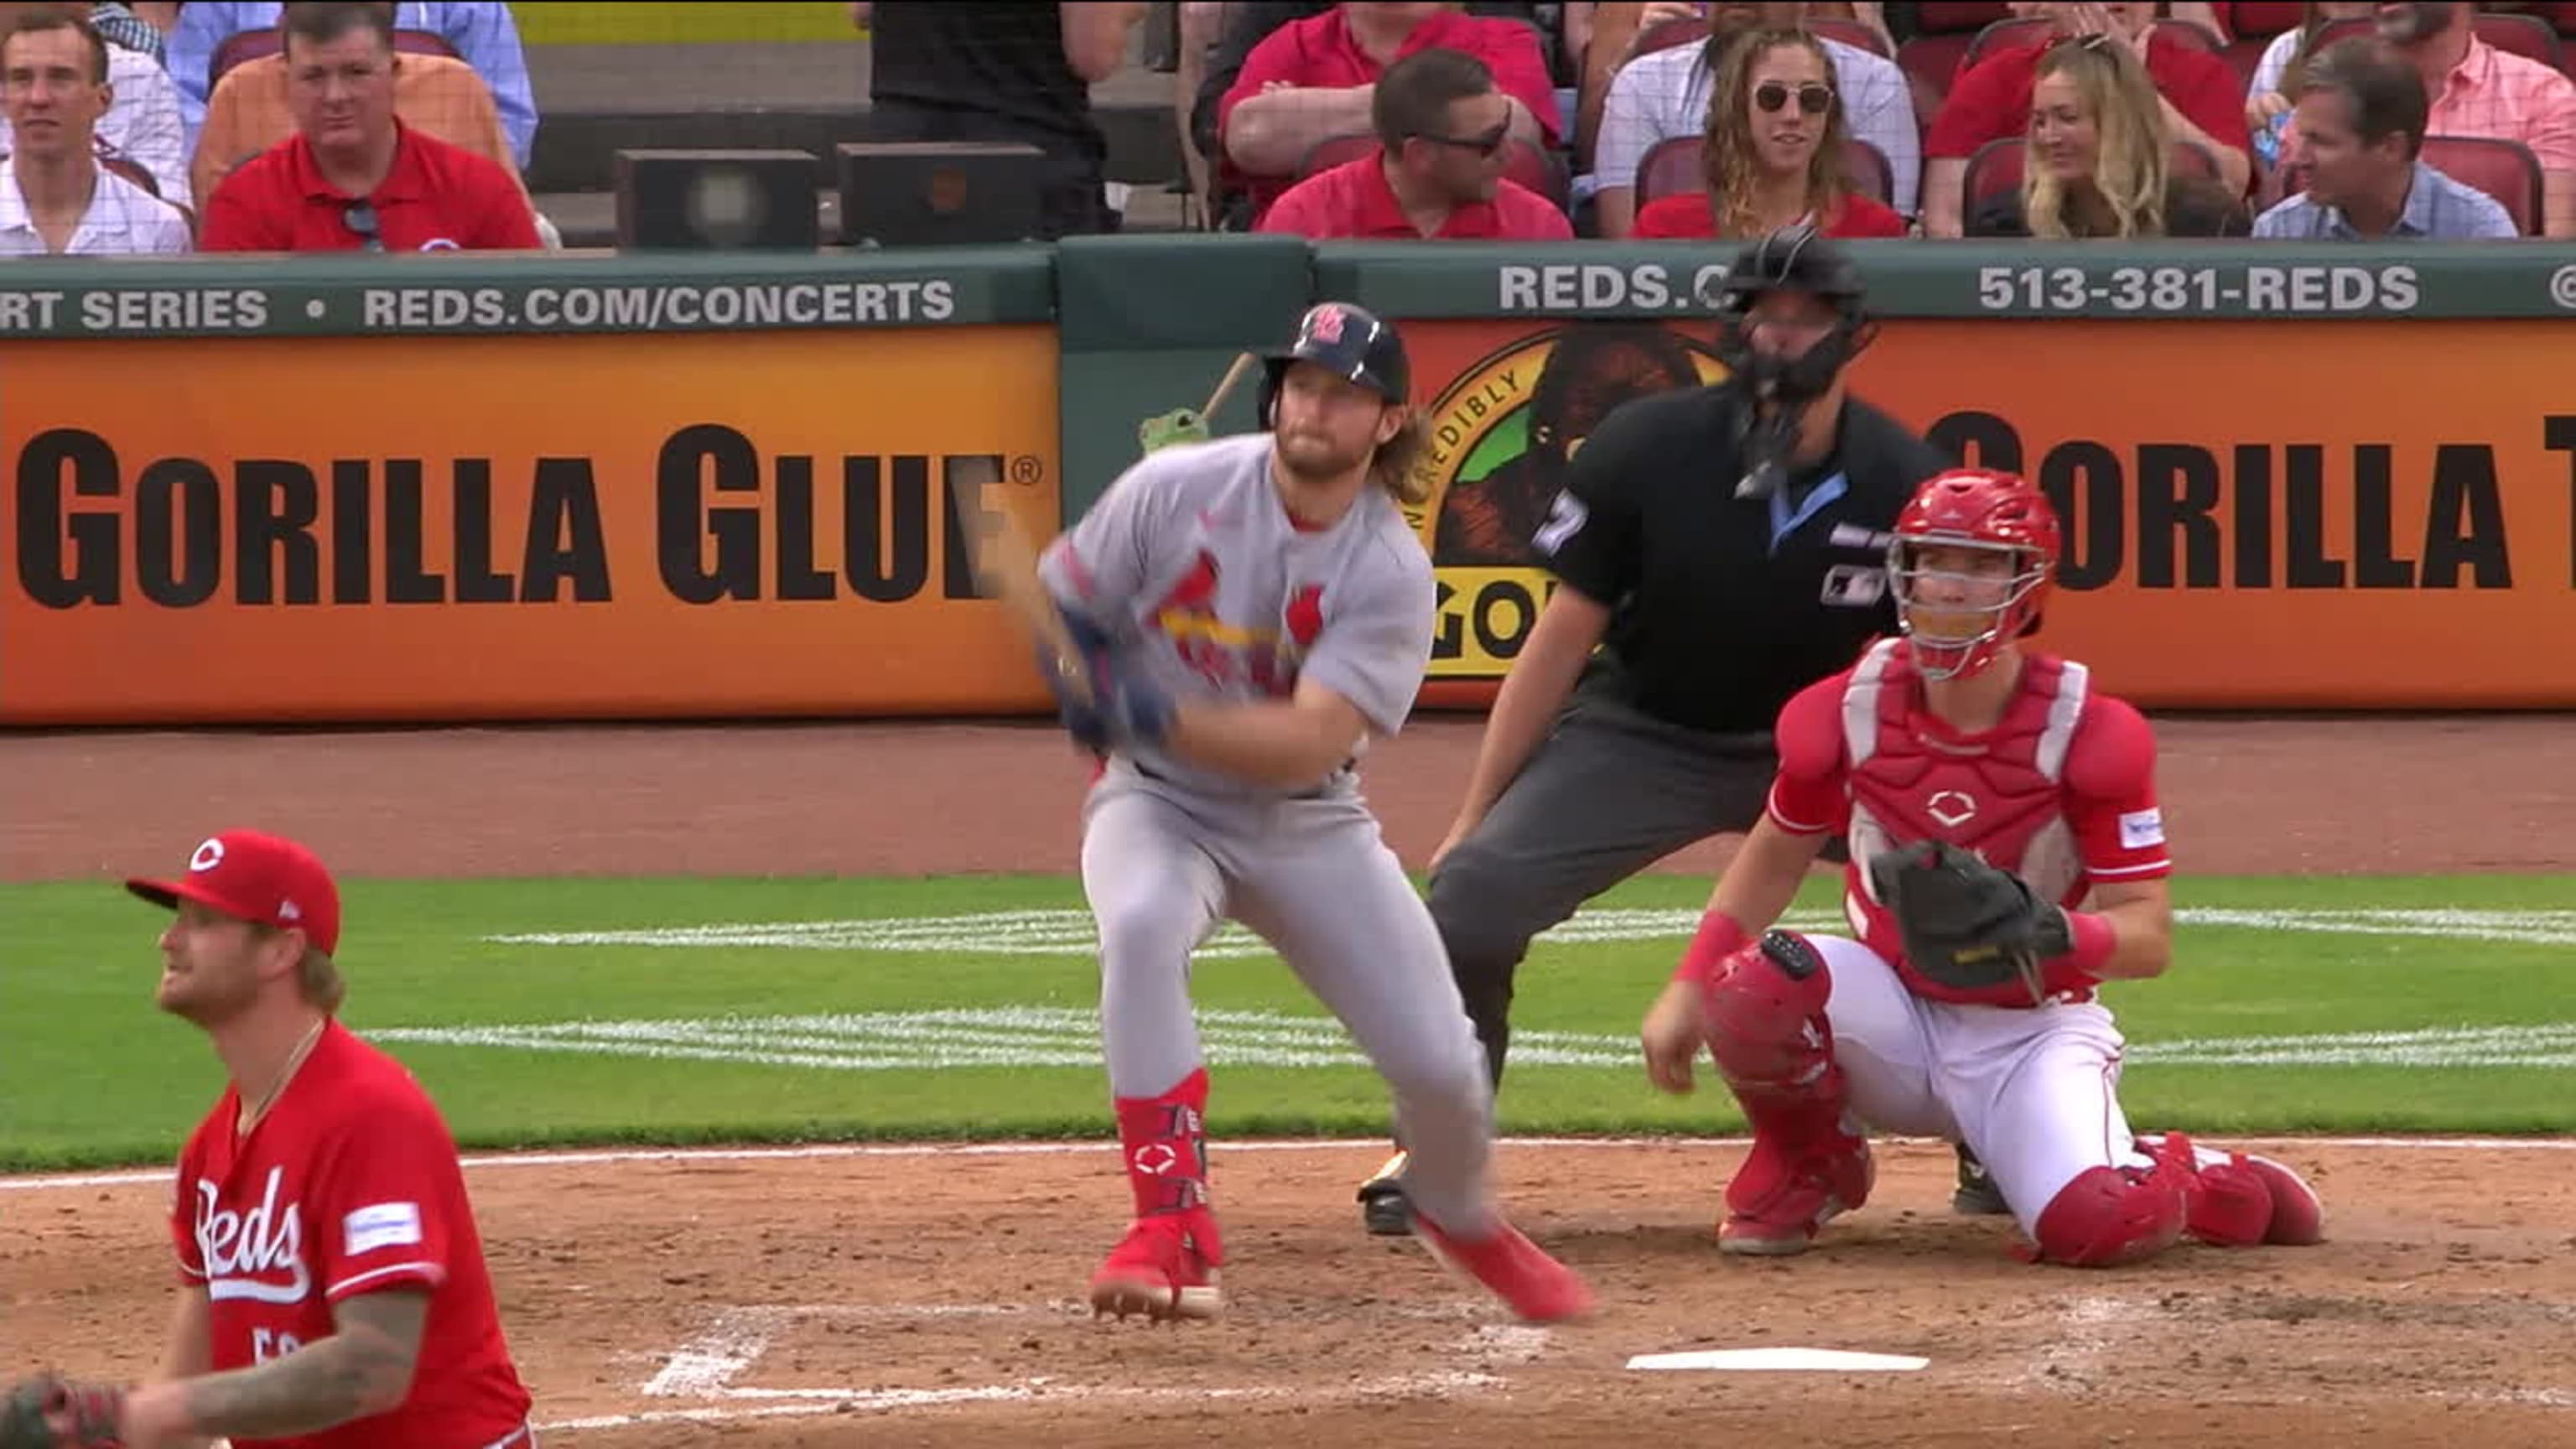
(1975, 509)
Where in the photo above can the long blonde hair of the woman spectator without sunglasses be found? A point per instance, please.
(2134, 146)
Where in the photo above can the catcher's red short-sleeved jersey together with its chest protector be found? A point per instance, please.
(2062, 793)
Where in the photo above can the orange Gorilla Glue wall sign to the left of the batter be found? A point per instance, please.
(519, 527)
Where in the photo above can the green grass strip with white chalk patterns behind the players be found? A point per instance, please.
(802, 1020)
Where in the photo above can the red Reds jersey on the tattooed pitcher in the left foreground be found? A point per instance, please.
(346, 1187)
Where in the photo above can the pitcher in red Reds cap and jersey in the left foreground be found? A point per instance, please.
(331, 1280)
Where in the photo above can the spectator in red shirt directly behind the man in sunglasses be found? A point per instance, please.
(1318, 79)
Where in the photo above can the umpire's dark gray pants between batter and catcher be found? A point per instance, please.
(1606, 795)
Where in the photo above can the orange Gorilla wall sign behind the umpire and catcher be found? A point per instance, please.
(2258, 514)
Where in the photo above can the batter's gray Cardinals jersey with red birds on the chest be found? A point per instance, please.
(1194, 561)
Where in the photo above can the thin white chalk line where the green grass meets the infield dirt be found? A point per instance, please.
(836, 1151)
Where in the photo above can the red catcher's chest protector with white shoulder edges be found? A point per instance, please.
(2003, 801)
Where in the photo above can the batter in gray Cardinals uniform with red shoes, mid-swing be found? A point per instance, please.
(1253, 612)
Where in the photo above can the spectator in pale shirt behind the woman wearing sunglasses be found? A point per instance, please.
(1665, 94)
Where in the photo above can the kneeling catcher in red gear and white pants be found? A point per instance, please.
(1987, 793)
